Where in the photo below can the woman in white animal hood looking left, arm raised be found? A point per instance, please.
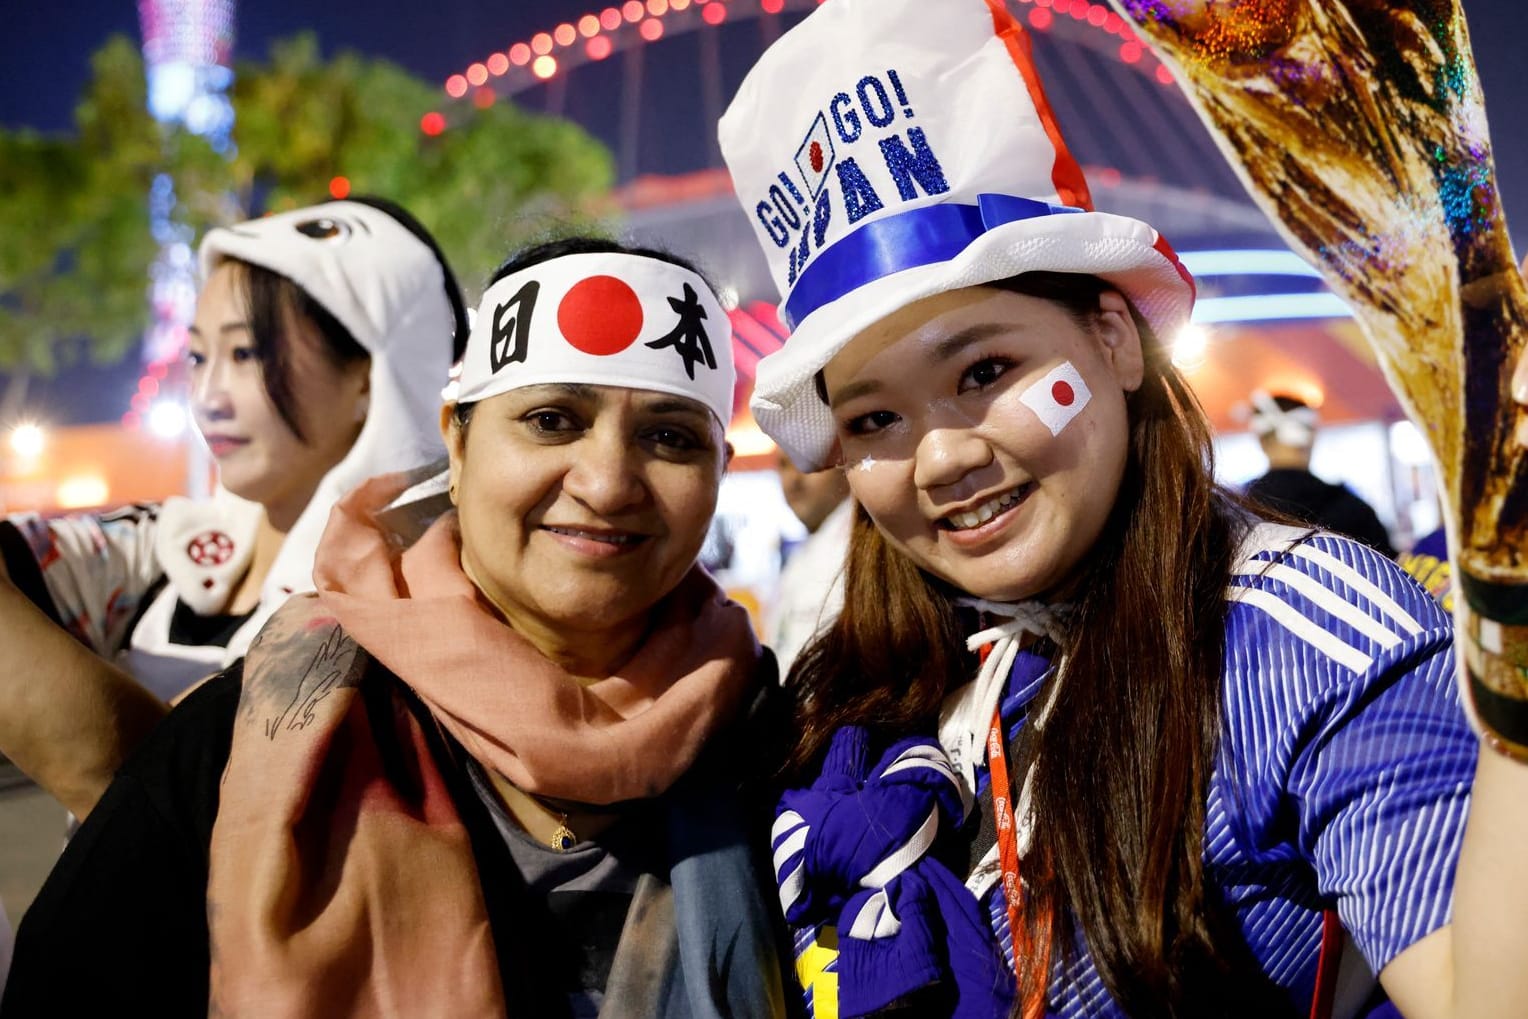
(320, 341)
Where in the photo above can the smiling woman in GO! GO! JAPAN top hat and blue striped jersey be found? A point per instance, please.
(1130, 751)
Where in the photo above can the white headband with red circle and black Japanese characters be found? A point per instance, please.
(603, 320)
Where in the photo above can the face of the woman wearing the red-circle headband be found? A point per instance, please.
(581, 506)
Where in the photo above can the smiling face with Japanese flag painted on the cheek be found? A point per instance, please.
(986, 433)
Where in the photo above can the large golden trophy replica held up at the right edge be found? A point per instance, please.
(1361, 129)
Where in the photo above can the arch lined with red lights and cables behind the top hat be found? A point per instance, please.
(652, 79)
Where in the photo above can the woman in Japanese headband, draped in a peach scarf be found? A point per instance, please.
(493, 772)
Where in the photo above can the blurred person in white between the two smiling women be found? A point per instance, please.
(811, 590)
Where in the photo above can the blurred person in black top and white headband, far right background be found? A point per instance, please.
(1286, 427)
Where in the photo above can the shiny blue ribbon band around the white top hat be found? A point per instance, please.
(907, 241)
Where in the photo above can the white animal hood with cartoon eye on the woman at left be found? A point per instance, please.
(380, 273)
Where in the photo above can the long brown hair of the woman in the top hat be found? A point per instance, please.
(1124, 762)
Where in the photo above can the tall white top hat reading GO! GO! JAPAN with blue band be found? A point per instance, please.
(889, 150)
